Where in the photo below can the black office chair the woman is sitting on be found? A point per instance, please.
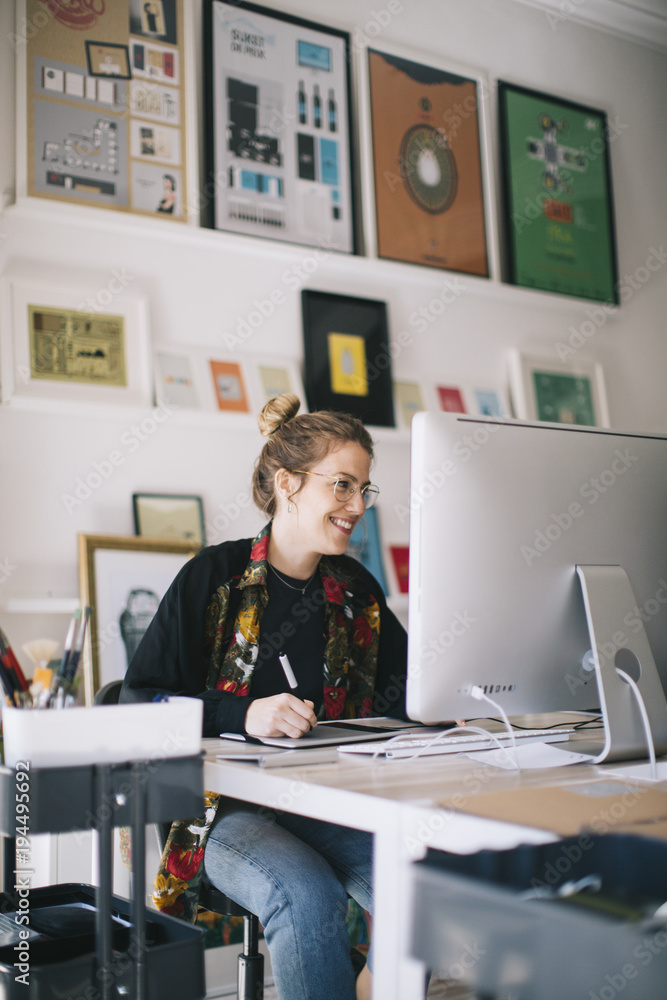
(250, 965)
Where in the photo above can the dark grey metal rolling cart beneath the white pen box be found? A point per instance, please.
(91, 940)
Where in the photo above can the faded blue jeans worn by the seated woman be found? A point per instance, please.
(295, 874)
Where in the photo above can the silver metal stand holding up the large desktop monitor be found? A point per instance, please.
(609, 599)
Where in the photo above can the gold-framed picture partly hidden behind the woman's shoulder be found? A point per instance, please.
(123, 579)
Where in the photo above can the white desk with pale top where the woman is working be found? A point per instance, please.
(395, 802)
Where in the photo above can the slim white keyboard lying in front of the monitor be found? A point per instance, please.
(463, 743)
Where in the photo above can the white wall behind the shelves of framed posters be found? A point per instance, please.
(200, 284)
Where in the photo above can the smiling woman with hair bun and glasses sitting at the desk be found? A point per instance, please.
(217, 636)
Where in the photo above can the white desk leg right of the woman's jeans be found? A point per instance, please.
(395, 975)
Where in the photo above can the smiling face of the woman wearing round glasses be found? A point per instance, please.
(321, 524)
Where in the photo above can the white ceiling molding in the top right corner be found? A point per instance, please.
(642, 22)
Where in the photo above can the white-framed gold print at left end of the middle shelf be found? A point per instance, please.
(55, 348)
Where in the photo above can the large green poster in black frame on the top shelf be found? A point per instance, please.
(558, 205)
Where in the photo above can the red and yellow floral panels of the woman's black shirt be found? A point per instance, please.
(231, 643)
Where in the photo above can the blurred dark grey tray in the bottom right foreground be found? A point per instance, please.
(471, 919)
